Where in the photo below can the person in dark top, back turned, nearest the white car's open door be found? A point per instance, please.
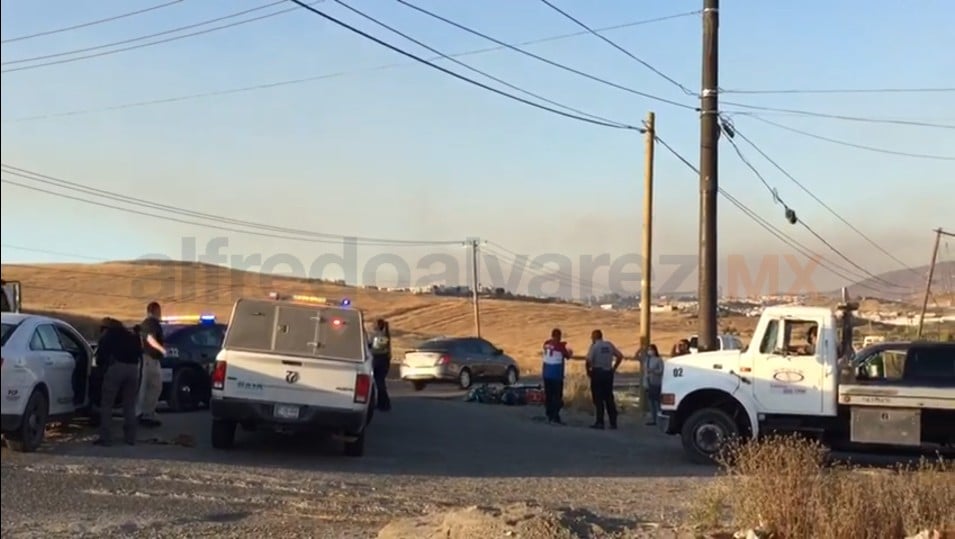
(118, 352)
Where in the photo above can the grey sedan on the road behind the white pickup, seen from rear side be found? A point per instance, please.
(458, 360)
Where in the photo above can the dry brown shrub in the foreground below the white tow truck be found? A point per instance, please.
(784, 487)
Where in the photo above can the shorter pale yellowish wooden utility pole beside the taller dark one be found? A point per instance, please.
(645, 289)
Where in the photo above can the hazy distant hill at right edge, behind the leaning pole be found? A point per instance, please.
(908, 285)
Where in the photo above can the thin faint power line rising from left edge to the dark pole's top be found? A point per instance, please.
(303, 80)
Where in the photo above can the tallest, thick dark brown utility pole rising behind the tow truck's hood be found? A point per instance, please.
(709, 184)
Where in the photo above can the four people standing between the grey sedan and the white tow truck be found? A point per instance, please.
(602, 361)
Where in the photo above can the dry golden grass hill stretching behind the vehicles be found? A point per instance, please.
(83, 293)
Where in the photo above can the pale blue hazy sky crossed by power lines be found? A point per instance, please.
(410, 153)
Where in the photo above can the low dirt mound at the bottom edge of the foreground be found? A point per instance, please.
(519, 521)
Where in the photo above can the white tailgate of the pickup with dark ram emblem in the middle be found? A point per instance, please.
(294, 380)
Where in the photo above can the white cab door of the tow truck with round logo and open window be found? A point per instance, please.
(788, 369)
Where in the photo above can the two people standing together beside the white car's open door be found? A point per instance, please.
(130, 362)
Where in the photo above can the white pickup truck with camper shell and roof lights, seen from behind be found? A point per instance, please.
(296, 364)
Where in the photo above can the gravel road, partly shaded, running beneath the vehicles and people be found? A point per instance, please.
(433, 452)
